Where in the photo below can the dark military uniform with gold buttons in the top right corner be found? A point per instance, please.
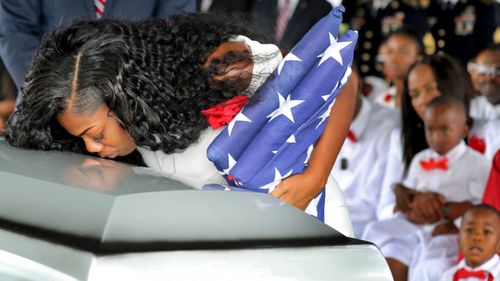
(461, 28)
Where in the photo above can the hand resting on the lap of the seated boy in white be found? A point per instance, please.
(427, 207)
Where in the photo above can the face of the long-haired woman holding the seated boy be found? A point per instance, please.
(422, 87)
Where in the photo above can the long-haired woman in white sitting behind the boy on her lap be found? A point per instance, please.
(427, 79)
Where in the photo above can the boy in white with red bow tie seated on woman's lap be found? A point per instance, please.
(442, 182)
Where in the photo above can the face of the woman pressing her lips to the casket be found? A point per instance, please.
(101, 131)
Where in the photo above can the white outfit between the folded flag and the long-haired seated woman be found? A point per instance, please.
(359, 169)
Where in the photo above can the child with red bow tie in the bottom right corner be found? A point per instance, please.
(479, 241)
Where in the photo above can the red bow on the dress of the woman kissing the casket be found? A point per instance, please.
(221, 114)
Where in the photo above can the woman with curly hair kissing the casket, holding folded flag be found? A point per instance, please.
(109, 87)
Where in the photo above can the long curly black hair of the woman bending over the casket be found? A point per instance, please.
(149, 73)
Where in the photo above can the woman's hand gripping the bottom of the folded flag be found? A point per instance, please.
(298, 190)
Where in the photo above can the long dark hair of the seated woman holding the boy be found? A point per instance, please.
(452, 80)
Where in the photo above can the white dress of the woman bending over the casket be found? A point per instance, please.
(193, 168)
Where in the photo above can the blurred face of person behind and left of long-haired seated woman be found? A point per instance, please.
(400, 52)
